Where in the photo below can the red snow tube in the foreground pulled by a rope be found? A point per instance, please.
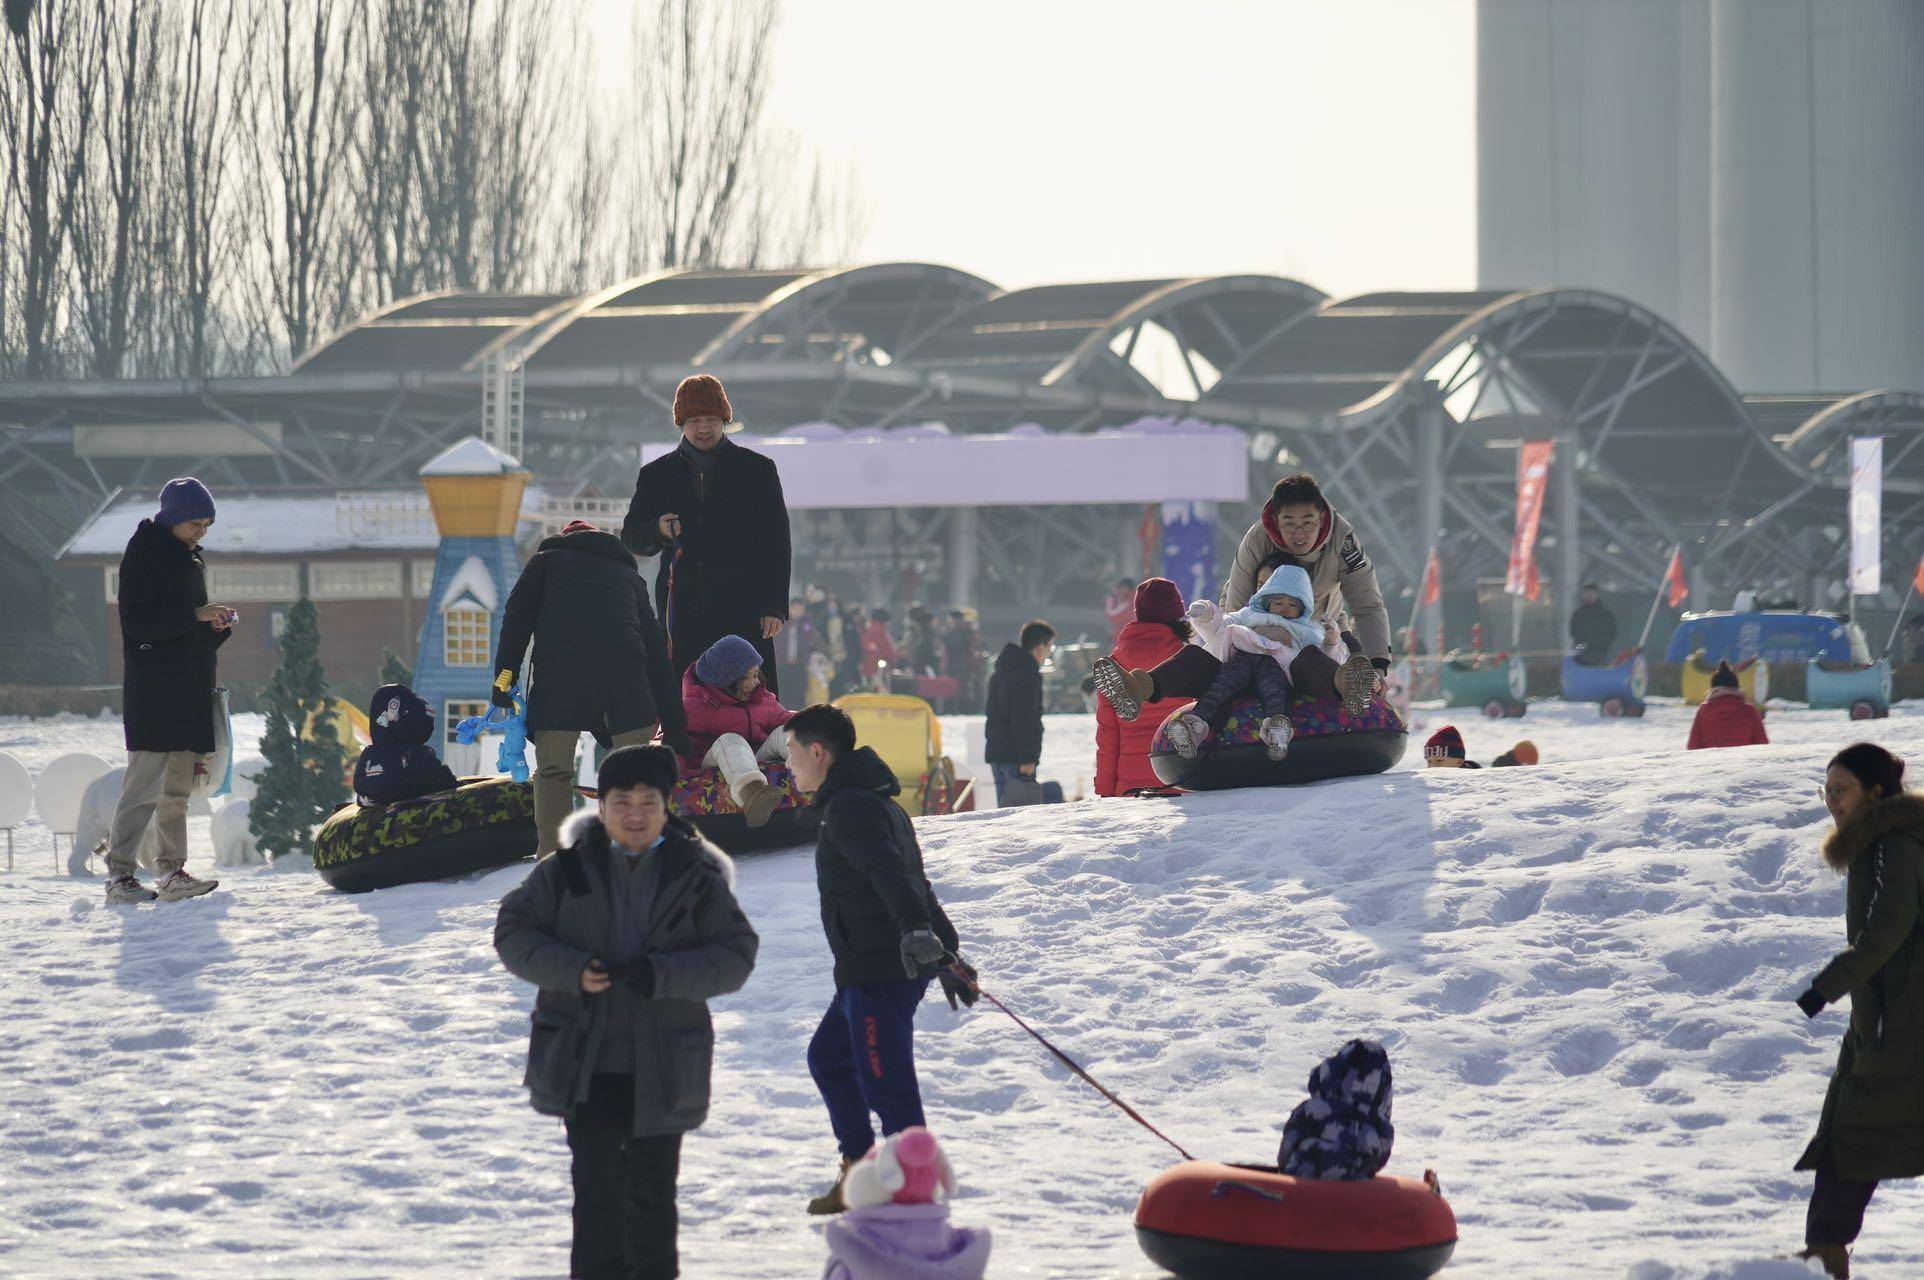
(1211, 1221)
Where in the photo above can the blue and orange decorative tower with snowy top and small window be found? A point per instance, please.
(476, 496)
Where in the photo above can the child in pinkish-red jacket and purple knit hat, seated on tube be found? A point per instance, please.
(736, 723)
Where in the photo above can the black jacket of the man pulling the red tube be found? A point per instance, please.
(869, 871)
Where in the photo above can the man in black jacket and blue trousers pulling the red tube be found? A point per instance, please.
(886, 931)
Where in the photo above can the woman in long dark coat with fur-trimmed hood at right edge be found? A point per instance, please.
(1873, 1123)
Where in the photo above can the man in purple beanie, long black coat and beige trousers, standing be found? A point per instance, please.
(170, 634)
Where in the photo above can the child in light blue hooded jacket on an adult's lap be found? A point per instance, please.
(1280, 611)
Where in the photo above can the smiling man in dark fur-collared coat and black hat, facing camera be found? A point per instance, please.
(630, 931)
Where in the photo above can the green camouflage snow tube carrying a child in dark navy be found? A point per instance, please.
(482, 825)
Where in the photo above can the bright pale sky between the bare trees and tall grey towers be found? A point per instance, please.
(1038, 141)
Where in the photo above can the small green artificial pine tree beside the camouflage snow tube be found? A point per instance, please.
(307, 775)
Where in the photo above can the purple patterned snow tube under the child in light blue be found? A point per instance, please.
(1329, 744)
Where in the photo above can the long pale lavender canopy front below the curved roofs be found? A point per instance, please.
(1150, 461)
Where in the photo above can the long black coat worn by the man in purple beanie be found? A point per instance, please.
(168, 653)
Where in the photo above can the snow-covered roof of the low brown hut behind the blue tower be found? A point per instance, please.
(290, 523)
